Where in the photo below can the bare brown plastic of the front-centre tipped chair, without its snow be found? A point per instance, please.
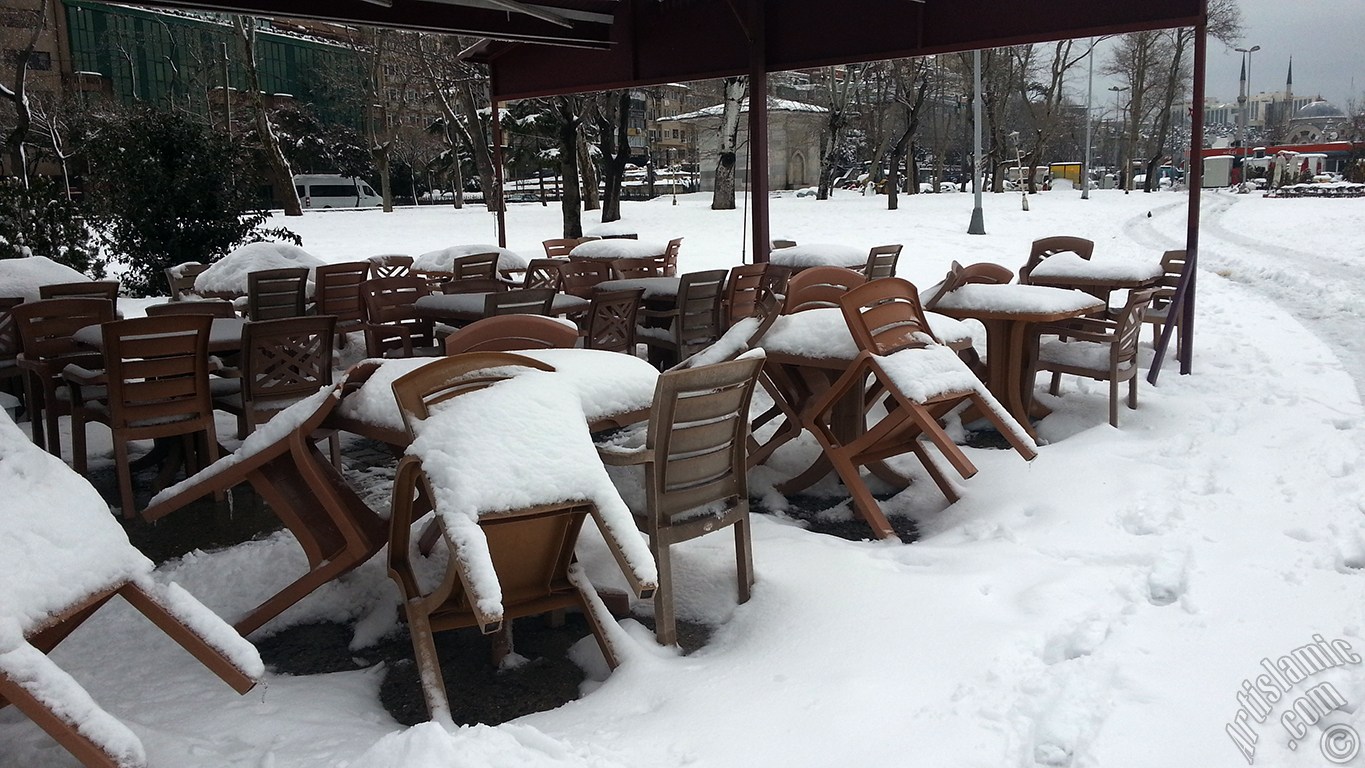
(532, 549)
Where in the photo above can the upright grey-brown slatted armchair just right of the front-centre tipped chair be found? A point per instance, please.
(694, 458)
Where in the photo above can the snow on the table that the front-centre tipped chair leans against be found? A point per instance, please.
(608, 385)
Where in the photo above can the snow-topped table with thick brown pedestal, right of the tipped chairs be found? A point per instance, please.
(1009, 314)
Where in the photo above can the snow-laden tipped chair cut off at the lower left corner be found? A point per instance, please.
(59, 568)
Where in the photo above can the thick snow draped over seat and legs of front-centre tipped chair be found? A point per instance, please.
(519, 444)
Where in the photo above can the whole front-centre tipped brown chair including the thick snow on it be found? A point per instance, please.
(510, 534)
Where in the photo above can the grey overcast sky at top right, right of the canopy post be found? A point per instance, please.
(1323, 36)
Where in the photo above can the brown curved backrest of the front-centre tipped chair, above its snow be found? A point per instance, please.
(425, 388)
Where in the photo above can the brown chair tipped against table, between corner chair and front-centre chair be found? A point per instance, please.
(336, 530)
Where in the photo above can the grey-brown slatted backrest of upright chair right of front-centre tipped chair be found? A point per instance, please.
(697, 436)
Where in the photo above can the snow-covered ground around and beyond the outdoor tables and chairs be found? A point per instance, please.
(1105, 605)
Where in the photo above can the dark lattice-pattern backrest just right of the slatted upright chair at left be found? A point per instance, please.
(286, 359)
